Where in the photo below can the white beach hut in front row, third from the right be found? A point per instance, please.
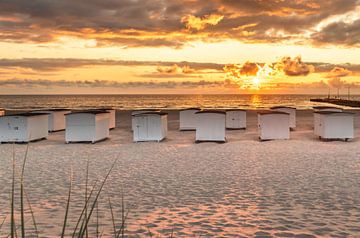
(210, 126)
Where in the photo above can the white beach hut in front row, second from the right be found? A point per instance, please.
(274, 125)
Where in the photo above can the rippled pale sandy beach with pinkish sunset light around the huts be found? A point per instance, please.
(301, 187)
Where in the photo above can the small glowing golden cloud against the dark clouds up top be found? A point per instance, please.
(199, 23)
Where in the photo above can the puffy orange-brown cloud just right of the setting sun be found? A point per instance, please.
(294, 67)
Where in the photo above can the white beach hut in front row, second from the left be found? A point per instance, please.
(87, 126)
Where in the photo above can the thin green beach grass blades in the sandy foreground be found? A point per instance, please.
(90, 208)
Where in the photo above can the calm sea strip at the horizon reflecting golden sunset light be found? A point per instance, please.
(131, 102)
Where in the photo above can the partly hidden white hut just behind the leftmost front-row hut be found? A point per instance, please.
(56, 118)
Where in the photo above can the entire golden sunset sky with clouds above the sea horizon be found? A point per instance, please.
(172, 46)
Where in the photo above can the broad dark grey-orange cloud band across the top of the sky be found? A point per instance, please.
(152, 23)
